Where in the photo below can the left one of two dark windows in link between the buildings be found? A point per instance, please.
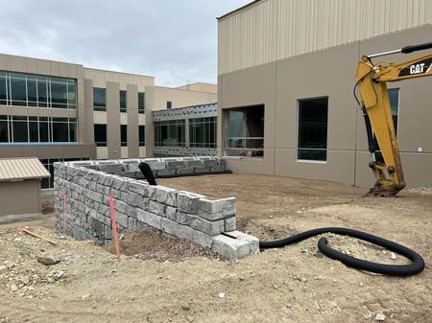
(170, 133)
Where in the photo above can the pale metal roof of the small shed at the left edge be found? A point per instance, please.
(16, 169)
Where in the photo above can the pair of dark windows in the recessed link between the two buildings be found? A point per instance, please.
(202, 133)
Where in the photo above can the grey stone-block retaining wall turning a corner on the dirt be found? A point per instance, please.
(83, 189)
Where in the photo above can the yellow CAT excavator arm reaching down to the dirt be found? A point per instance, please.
(375, 103)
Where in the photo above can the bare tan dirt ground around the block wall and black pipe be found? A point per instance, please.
(168, 280)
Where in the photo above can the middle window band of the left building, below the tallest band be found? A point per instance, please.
(23, 129)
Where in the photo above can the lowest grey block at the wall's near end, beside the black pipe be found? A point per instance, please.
(235, 244)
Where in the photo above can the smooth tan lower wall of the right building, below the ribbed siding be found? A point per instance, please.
(329, 73)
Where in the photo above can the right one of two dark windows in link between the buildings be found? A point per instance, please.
(202, 132)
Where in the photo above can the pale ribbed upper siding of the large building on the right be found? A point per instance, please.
(270, 30)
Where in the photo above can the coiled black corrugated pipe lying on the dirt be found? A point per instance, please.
(417, 263)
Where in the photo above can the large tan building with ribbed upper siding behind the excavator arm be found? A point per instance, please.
(285, 87)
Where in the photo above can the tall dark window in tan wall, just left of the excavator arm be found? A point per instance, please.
(312, 135)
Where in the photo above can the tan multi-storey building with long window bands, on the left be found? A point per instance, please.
(58, 111)
